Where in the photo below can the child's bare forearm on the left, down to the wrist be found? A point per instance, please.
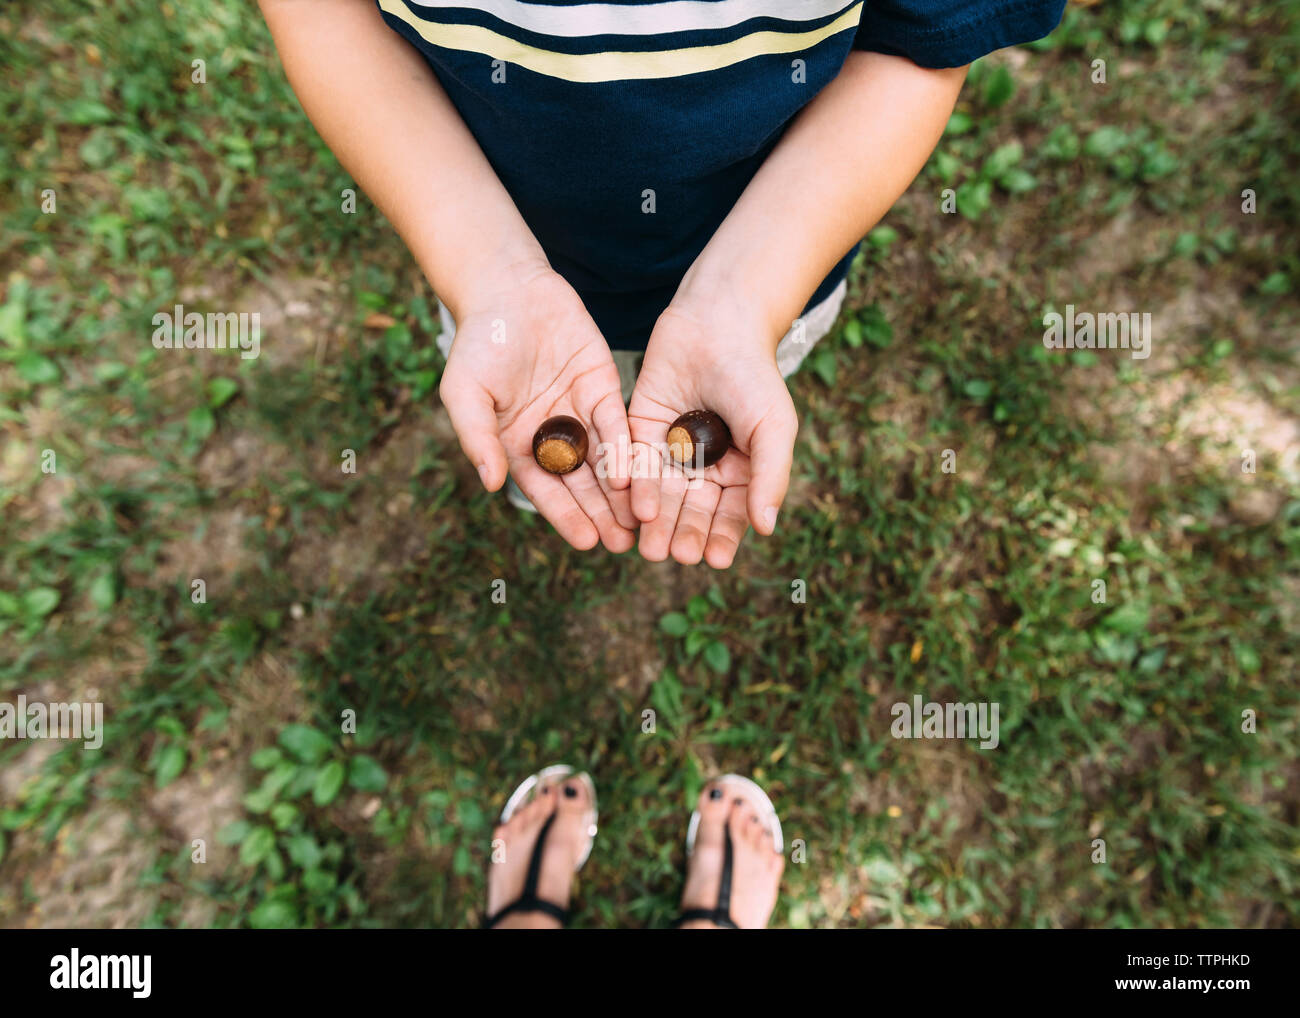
(384, 114)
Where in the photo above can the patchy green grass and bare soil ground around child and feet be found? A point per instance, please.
(336, 597)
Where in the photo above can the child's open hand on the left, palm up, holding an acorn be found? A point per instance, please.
(526, 354)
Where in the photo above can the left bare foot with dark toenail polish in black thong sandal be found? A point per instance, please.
(513, 844)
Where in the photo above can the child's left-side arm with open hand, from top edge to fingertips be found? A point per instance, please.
(526, 346)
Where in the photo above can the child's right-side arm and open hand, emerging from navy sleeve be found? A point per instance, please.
(842, 164)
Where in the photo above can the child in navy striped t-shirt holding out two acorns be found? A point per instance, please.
(681, 177)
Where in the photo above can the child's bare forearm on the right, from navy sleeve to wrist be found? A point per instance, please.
(842, 164)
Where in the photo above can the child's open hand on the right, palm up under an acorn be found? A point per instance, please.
(710, 357)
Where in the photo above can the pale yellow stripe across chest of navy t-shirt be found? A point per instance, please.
(610, 67)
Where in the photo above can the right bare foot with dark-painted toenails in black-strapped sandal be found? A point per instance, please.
(756, 864)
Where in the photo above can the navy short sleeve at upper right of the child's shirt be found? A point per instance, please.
(952, 33)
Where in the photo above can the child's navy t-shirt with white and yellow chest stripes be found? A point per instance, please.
(626, 132)
